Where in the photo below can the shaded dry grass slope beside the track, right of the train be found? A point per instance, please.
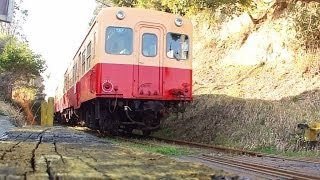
(247, 123)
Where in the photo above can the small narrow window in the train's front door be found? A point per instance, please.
(149, 45)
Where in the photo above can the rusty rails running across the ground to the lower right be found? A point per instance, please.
(240, 163)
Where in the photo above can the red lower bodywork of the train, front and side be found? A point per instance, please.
(128, 82)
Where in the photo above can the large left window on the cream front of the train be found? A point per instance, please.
(119, 40)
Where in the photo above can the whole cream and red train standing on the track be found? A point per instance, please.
(133, 67)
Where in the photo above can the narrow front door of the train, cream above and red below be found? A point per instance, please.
(148, 72)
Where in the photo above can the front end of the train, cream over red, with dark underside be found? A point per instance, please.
(145, 66)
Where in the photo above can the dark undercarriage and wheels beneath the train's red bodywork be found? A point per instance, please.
(116, 115)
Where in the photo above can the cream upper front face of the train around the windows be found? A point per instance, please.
(135, 19)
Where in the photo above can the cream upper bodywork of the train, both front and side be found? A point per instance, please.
(92, 50)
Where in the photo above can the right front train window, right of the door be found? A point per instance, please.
(177, 46)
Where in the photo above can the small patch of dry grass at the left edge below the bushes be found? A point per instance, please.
(15, 115)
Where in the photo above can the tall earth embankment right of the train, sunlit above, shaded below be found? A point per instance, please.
(254, 79)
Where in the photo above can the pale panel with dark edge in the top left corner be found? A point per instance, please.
(6, 10)
